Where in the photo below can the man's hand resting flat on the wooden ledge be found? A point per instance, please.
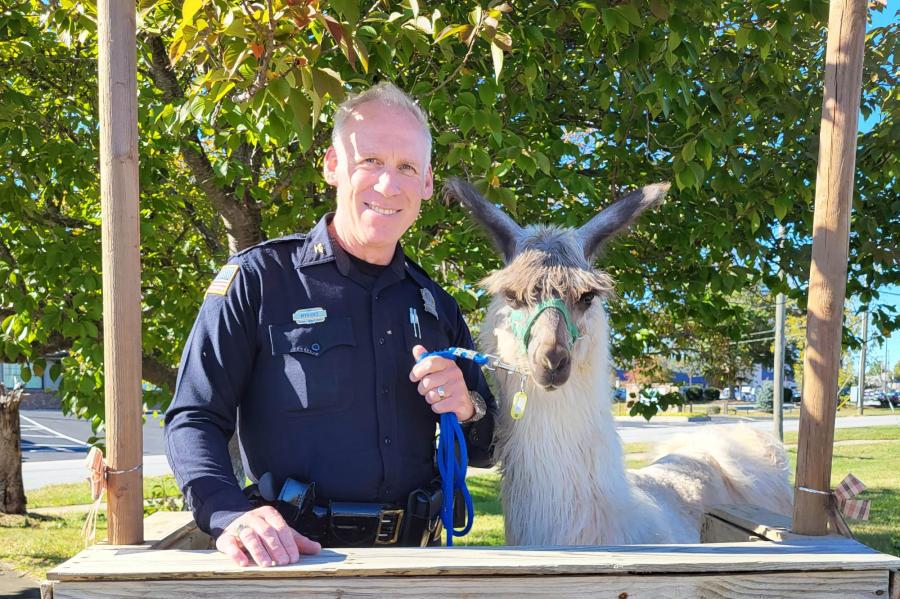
(265, 536)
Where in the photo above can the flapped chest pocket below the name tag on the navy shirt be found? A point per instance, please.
(314, 364)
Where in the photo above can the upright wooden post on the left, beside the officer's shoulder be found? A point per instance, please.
(121, 267)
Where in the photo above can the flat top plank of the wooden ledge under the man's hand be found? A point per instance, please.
(108, 562)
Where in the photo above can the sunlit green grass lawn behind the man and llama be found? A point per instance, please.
(37, 542)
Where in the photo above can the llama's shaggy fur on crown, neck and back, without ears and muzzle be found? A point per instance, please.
(563, 476)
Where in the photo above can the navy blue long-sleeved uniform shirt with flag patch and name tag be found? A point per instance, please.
(313, 358)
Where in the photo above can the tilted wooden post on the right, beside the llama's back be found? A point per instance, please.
(828, 271)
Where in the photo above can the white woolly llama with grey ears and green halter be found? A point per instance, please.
(563, 479)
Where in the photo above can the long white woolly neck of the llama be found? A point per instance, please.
(562, 464)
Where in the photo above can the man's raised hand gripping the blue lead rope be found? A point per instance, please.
(442, 385)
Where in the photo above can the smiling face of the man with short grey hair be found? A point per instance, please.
(381, 169)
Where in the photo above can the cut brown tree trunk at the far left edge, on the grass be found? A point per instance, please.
(12, 490)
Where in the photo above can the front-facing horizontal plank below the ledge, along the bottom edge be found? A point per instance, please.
(800, 585)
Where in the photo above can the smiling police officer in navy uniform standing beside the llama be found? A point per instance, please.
(310, 342)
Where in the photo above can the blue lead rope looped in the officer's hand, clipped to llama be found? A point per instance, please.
(453, 470)
